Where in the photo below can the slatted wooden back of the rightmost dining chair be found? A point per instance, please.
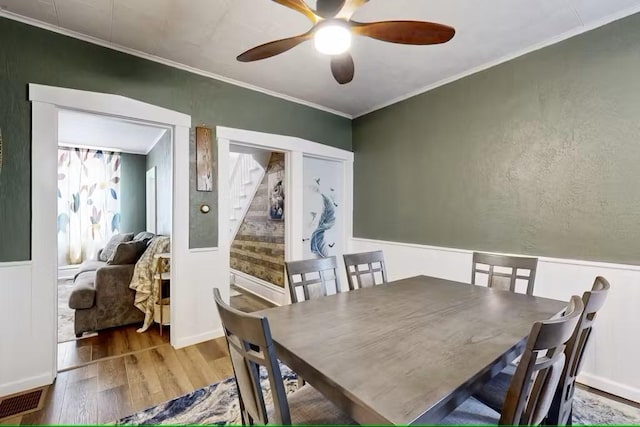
(593, 300)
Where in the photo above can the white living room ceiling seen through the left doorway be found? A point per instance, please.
(101, 132)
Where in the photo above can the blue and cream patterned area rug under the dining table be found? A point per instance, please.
(218, 404)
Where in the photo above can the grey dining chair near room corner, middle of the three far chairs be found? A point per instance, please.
(365, 269)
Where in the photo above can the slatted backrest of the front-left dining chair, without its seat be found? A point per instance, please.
(250, 347)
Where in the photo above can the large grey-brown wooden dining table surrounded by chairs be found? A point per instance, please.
(405, 352)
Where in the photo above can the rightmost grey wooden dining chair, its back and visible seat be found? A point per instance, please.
(492, 394)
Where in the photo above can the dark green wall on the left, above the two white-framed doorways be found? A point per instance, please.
(32, 55)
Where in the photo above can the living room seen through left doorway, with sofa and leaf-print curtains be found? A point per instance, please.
(104, 227)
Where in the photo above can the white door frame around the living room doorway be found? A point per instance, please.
(46, 102)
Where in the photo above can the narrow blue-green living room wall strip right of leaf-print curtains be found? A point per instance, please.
(133, 206)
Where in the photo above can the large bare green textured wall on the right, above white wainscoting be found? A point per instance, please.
(539, 155)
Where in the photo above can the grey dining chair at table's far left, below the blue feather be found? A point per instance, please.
(312, 276)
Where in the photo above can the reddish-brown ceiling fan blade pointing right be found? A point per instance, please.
(405, 32)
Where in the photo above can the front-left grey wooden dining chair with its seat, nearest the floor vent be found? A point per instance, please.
(250, 349)
